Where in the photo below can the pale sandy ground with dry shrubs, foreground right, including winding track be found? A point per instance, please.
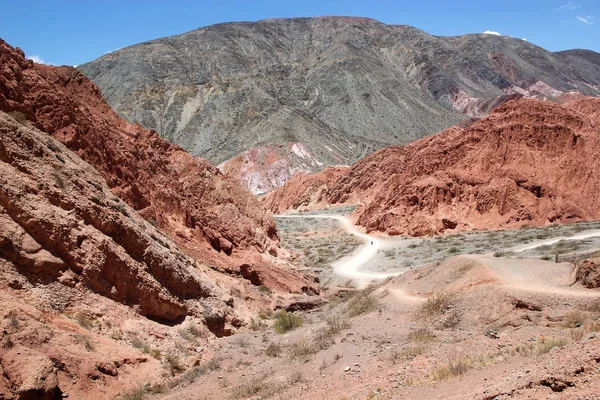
(489, 325)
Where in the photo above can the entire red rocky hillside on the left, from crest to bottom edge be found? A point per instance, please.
(95, 298)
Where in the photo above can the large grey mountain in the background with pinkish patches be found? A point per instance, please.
(271, 99)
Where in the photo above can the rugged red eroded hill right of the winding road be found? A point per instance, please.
(530, 162)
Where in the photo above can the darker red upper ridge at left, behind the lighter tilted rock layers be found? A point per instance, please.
(210, 216)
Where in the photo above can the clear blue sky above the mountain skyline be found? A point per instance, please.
(74, 32)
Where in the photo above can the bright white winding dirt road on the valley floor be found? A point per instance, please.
(349, 266)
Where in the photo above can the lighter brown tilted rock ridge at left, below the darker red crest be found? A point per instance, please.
(59, 221)
